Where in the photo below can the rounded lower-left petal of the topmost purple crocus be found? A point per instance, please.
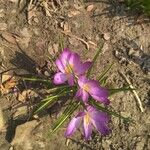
(59, 78)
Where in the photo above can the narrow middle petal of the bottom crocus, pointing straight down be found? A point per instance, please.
(87, 126)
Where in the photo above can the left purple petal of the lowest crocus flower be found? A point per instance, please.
(73, 125)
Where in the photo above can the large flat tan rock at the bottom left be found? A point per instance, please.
(23, 137)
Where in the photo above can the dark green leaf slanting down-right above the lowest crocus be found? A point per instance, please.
(112, 113)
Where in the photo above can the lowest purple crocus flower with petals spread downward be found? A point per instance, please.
(90, 118)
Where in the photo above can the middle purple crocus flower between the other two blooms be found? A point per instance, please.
(91, 87)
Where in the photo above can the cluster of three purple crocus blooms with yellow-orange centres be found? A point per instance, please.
(73, 70)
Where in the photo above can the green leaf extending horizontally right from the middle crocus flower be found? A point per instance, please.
(117, 90)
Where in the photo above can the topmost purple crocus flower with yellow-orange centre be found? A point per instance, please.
(69, 65)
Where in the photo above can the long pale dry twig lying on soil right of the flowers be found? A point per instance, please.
(134, 92)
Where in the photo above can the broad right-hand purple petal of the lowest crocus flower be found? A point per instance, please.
(100, 121)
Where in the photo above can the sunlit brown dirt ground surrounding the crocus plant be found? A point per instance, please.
(32, 32)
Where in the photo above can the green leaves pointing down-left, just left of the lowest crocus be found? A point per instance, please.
(72, 106)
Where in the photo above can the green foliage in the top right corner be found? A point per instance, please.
(140, 5)
